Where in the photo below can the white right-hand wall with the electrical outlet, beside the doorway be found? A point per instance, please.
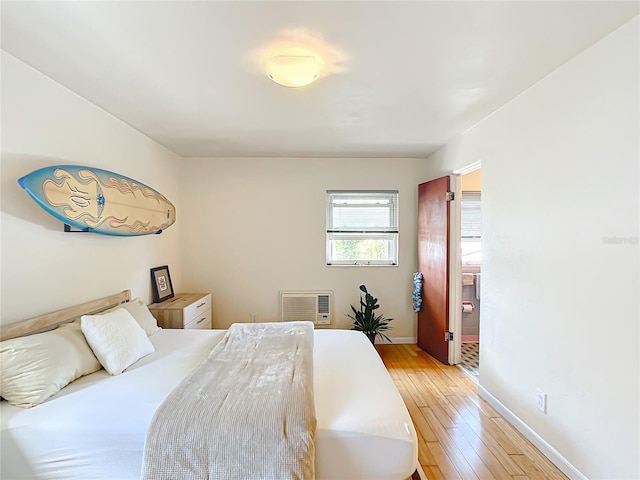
(560, 301)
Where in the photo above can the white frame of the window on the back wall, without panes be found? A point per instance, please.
(389, 232)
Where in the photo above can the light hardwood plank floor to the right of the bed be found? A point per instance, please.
(460, 436)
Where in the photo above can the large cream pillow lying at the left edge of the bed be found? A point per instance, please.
(37, 366)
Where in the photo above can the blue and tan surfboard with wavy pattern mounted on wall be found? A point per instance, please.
(94, 200)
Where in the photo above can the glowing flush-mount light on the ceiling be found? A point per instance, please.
(294, 67)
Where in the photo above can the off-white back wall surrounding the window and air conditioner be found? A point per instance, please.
(257, 226)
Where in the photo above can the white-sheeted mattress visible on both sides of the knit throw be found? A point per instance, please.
(95, 427)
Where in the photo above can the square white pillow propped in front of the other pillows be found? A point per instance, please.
(116, 339)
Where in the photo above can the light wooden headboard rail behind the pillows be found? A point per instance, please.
(31, 325)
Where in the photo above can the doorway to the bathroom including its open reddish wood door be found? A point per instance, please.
(441, 320)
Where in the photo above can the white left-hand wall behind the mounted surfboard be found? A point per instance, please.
(43, 268)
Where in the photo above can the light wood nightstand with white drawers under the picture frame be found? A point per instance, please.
(184, 310)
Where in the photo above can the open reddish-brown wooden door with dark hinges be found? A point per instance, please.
(433, 263)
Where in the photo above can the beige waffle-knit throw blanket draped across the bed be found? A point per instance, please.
(246, 412)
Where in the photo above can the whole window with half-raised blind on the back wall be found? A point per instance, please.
(362, 227)
